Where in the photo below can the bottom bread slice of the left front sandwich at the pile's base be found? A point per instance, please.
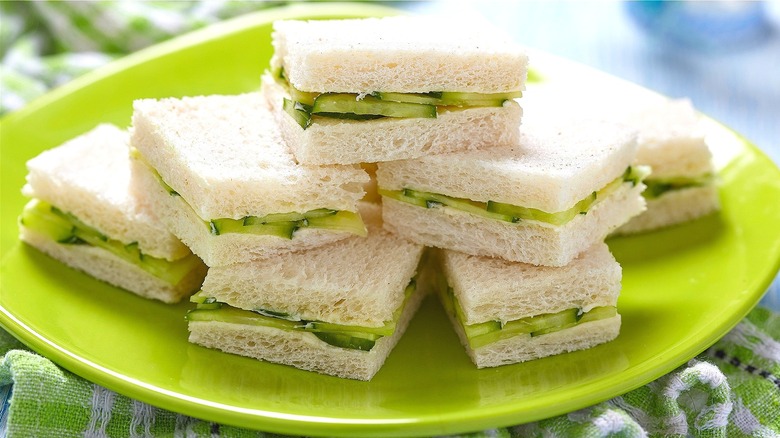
(301, 350)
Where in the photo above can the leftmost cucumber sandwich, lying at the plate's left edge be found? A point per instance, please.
(85, 214)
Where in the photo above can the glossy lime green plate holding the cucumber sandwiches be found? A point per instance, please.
(683, 287)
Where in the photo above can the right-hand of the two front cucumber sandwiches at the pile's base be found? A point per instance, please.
(542, 311)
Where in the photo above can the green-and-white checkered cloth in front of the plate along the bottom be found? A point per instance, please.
(731, 390)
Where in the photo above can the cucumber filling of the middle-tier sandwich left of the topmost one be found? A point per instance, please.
(283, 225)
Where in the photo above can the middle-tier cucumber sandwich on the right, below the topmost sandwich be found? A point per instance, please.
(562, 189)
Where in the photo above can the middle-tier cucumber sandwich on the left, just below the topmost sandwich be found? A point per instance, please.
(217, 173)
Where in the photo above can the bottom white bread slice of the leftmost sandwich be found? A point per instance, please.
(113, 270)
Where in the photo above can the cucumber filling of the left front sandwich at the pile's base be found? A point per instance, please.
(338, 335)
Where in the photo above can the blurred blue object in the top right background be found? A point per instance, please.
(698, 25)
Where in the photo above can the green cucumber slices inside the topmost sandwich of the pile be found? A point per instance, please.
(303, 106)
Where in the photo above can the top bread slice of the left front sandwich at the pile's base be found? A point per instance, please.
(356, 281)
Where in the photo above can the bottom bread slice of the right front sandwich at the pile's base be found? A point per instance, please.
(524, 348)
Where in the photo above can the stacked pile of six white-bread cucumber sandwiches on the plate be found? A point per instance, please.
(266, 191)
